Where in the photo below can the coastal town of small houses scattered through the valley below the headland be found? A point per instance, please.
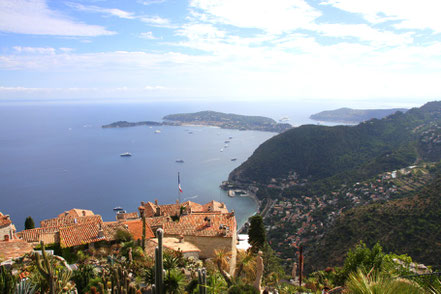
(294, 221)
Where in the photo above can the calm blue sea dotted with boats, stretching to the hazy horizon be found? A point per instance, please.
(56, 156)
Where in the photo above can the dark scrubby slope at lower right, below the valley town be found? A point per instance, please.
(411, 225)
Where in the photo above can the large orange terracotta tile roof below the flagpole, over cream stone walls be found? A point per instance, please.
(197, 224)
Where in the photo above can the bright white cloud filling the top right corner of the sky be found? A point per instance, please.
(423, 14)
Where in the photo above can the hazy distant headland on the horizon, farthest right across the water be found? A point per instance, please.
(353, 116)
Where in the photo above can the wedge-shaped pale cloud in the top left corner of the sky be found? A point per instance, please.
(35, 17)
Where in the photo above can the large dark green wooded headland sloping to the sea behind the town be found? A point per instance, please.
(347, 153)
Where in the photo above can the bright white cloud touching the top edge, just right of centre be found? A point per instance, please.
(275, 17)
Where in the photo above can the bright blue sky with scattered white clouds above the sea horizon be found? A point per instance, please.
(220, 49)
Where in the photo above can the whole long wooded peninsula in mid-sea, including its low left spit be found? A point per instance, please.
(212, 118)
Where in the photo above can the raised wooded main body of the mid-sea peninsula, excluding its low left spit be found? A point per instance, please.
(228, 121)
